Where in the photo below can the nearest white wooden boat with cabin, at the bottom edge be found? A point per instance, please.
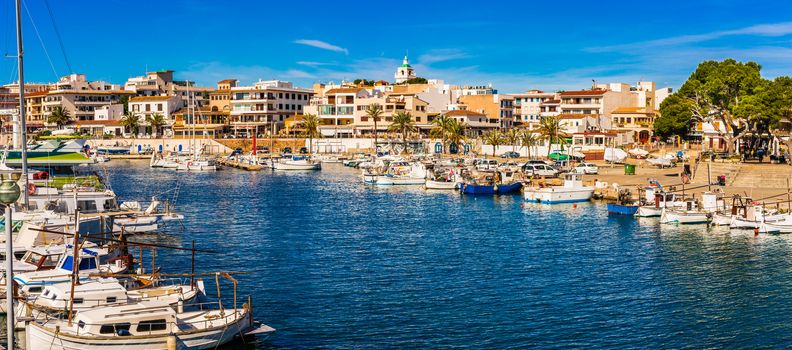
(144, 325)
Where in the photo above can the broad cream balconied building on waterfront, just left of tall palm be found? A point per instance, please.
(265, 105)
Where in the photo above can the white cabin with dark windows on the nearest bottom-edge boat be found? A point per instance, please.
(143, 318)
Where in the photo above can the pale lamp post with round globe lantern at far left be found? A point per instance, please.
(9, 193)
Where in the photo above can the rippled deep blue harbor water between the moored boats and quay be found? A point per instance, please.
(336, 264)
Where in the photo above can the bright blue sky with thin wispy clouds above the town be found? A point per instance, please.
(514, 45)
